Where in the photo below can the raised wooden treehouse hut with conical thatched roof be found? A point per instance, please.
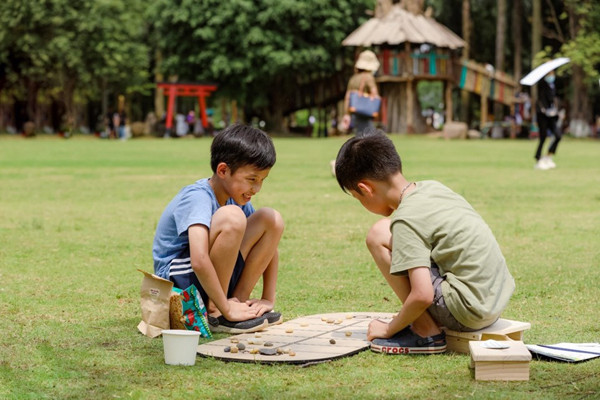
(411, 46)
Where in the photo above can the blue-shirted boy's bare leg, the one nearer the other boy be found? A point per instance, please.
(259, 249)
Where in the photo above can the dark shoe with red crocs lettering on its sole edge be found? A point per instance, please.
(408, 342)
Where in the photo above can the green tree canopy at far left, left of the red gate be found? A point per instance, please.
(66, 47)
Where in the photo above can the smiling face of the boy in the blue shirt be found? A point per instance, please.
(241, 185)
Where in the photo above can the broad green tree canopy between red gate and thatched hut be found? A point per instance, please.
(255, 50)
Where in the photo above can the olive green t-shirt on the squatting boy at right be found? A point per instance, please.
(435, 224)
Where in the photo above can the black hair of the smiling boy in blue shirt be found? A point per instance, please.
(239, 145)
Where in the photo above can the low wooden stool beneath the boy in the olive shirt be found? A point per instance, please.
(503, 329)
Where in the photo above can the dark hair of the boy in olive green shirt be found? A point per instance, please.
(370, 156)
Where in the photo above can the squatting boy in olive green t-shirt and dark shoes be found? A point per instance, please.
(437, 254)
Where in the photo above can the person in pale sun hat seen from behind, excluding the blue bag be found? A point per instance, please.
(362, 81)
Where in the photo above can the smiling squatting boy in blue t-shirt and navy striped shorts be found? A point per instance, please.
(211, 236)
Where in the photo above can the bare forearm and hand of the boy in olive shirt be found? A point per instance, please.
(416, 303)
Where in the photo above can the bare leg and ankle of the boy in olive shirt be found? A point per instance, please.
(379, 244)
